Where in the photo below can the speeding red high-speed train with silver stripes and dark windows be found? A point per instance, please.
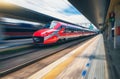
(58, 31)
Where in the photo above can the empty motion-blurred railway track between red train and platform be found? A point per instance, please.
(17, 62)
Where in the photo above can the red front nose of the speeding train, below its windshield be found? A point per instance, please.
(45, 36)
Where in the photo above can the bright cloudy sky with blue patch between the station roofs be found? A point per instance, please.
(61, 9)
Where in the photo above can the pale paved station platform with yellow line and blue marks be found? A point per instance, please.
(85, 62)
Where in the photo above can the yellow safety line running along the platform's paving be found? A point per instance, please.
(60, 67)
